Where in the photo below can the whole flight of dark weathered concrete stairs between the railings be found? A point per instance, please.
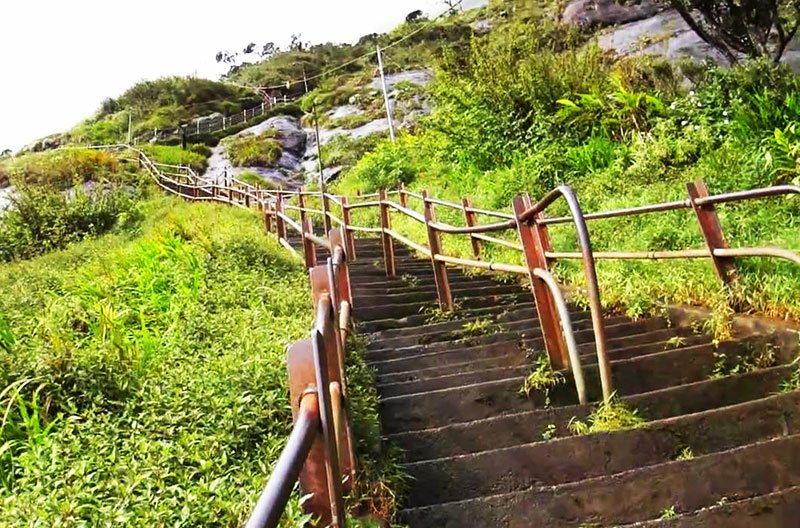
(720, 446)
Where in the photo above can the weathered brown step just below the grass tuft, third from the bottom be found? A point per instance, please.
(582, 457)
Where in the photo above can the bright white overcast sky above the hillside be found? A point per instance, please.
(60, 58)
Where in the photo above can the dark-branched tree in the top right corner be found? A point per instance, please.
(755, 28)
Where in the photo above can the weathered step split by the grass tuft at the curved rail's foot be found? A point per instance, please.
(523, 427)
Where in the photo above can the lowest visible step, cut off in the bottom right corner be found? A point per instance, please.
(780, 509)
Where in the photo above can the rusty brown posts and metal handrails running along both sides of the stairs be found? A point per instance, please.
(321, 444)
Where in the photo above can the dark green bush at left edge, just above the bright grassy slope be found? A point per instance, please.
(42, 219)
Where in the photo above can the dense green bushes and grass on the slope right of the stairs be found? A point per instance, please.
(532, 105)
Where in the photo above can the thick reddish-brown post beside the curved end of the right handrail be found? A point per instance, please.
(534, 244)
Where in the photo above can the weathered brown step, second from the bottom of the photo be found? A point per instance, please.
(634, 495)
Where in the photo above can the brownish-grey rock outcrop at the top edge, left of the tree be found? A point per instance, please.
(601, 13)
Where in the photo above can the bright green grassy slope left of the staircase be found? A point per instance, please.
(144, 384)
